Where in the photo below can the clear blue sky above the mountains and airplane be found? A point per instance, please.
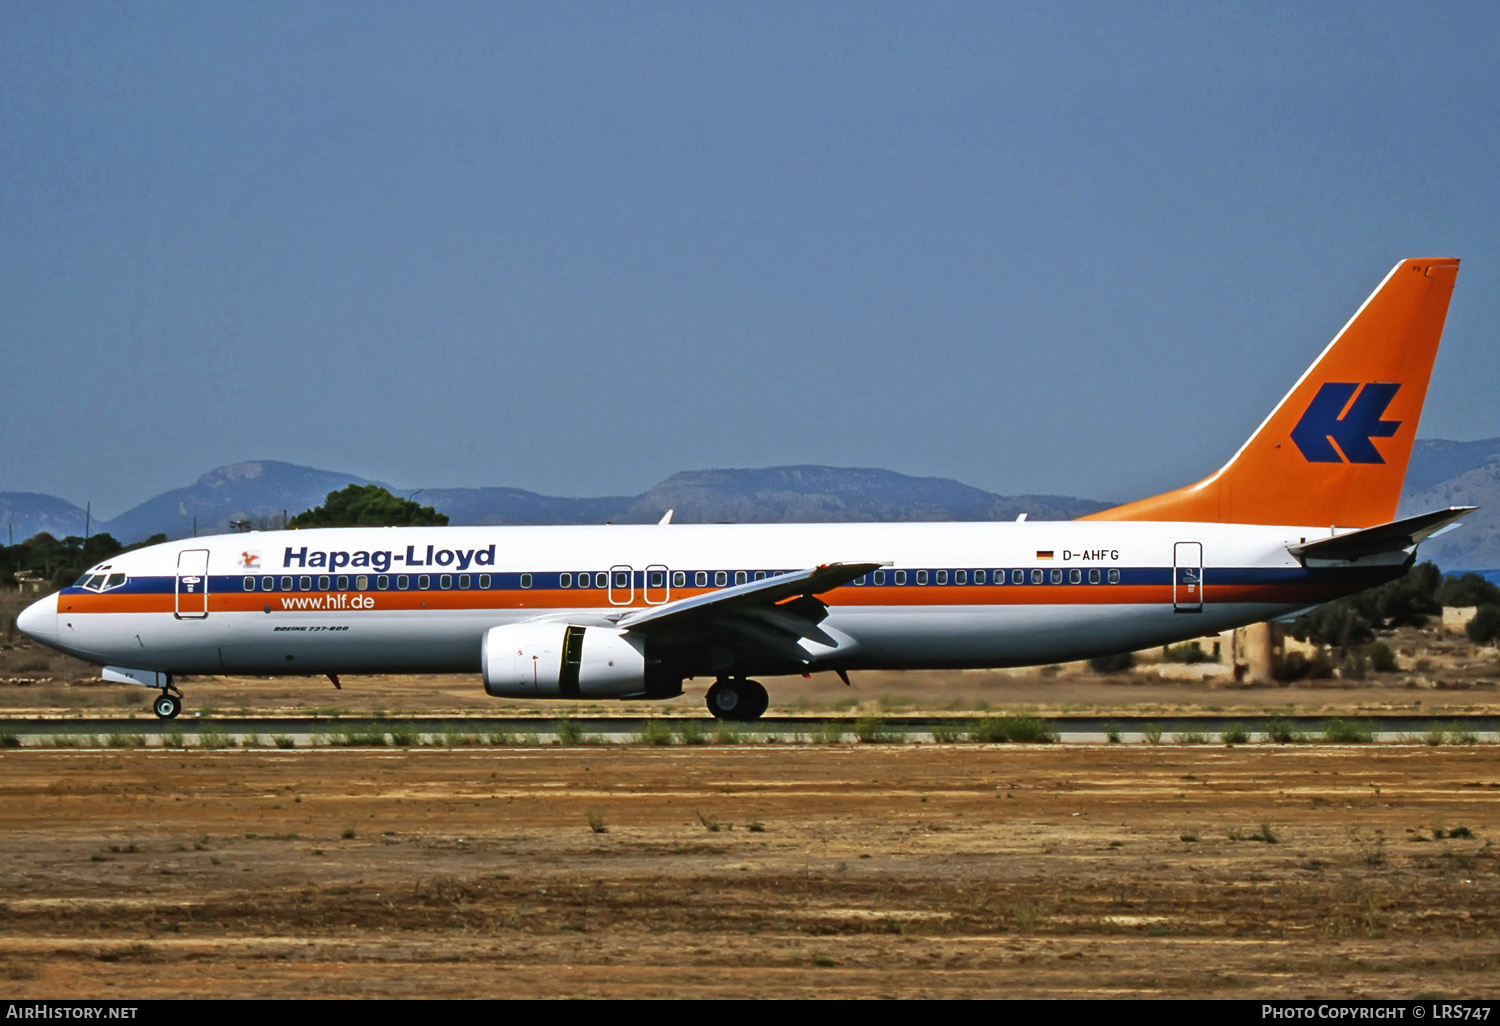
(575, 248)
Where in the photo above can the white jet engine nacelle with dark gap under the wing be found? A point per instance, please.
(562, 661)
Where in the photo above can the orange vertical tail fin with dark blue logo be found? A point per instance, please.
(1336, 451)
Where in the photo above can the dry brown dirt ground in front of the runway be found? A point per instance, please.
(752, 871)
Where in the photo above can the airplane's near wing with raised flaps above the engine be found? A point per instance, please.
(776, 619)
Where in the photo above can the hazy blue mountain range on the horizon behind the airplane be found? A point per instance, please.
(260, 493)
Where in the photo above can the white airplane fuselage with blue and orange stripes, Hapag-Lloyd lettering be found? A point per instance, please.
(352, 601)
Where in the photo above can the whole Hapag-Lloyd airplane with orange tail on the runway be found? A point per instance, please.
(1303, 514)
